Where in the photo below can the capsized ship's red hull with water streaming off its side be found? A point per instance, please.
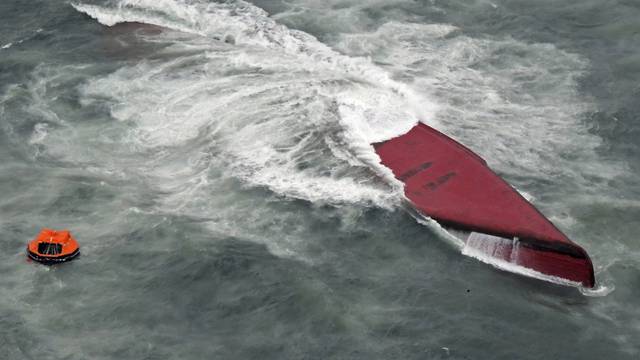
(447, 182)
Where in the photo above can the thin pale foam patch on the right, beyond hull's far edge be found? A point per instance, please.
(514, 103)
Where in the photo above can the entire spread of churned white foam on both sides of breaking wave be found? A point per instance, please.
(237, 94)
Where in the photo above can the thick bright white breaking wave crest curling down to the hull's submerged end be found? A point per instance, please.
(251, 26)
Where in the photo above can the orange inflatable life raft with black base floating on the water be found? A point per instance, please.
(52, 247)
